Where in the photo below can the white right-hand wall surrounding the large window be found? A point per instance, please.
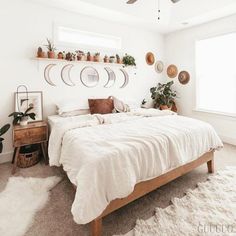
(180, 50)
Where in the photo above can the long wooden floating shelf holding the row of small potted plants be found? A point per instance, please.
(80, 62)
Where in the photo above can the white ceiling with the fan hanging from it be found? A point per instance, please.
(143, 13)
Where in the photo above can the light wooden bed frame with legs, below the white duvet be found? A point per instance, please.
(148, 186)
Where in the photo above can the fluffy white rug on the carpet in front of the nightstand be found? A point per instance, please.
(20, 201)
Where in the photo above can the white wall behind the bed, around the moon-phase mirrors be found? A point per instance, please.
(25, 26)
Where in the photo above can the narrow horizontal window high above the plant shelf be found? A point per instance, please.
(75, 37)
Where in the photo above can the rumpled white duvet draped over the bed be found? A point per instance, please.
(106, 155)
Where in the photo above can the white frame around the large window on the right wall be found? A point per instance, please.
(196, 91)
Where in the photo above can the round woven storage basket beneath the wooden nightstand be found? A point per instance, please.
(28, 156)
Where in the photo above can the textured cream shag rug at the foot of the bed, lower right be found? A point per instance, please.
(210, 209)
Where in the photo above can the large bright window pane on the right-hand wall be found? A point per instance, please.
(216, 74)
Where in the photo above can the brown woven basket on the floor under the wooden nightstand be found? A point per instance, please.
(29, 158)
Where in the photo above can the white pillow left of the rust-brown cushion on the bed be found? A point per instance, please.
(70, 106)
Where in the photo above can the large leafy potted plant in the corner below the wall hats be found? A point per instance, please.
(163, 96)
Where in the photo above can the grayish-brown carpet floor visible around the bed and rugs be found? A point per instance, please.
(56, 218)
